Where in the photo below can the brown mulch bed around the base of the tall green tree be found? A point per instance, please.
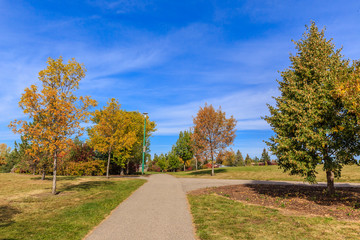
(303, 200)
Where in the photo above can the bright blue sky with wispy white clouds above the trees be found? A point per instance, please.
(167, 58)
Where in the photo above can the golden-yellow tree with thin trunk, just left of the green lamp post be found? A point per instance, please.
(112, 133)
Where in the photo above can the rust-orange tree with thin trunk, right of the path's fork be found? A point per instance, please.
(212, 133)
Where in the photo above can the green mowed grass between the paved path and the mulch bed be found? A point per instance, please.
(217, 218)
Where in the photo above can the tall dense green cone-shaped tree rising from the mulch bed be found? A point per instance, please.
(311, 124)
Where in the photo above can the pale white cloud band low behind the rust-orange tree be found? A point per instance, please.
(247, 107)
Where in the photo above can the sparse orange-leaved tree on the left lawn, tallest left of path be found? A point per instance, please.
(54, 111)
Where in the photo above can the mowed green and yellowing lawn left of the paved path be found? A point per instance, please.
(29, 211)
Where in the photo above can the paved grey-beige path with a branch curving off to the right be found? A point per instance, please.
(159, 209)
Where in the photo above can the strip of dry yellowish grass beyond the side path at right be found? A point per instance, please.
(274, 173)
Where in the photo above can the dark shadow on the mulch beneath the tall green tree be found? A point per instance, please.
(348, 196)
